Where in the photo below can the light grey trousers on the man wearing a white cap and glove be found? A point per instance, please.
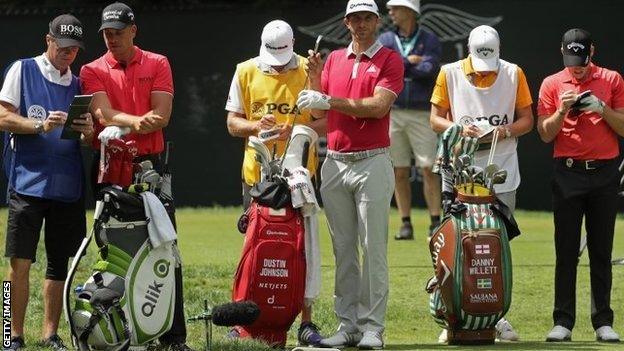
(356, 196)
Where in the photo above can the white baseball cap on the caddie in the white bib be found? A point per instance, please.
(484, 47)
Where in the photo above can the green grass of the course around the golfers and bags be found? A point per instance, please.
(210, 246)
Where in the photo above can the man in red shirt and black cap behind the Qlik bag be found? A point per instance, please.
(132, 99)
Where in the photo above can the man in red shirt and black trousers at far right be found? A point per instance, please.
(585, 133)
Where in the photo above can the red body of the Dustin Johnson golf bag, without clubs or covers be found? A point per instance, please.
(272, 271)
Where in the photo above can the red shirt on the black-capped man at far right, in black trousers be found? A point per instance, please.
(586, 136)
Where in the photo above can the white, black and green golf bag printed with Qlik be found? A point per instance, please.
(129, 298)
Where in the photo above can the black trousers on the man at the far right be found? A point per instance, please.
(592, 194)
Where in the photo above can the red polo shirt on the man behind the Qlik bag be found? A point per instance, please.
(129, 90)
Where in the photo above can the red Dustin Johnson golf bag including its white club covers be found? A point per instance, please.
(272, 269)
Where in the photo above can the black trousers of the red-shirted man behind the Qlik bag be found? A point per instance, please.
(177, 333)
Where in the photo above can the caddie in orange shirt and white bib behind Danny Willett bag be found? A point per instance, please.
(487, 96)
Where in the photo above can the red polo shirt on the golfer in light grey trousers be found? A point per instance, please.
(378, 67)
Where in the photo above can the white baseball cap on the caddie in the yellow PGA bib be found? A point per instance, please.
(277, 43)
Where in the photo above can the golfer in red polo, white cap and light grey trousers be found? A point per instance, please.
(355, 90)
